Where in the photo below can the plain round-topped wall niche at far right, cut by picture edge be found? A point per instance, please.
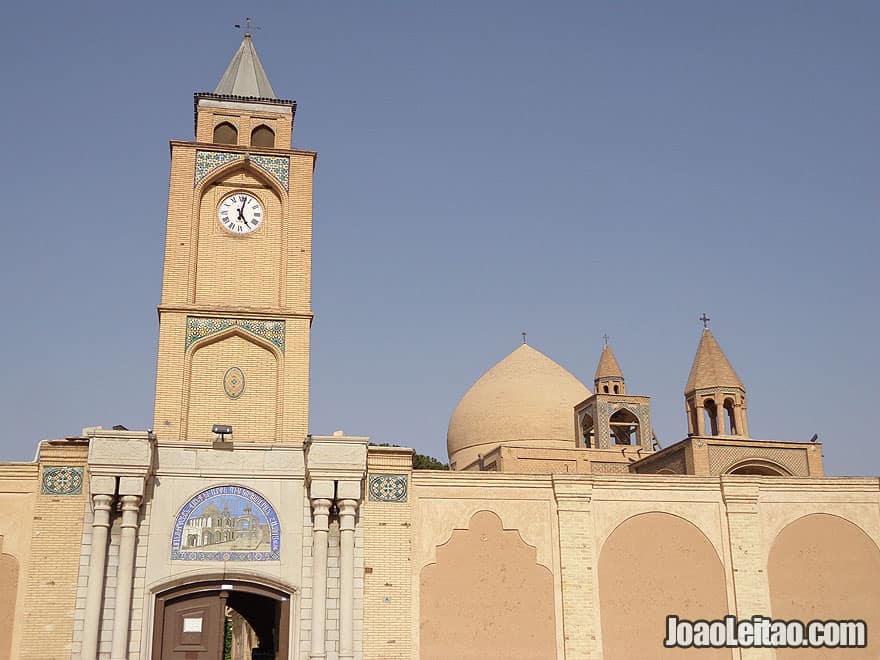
(824, 567)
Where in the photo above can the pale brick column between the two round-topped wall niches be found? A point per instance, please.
(751, 589)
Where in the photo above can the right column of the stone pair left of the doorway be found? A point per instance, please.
(130, 490)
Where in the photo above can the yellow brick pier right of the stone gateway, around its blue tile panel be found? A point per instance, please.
(388, 606)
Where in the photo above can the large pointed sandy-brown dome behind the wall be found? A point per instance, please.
(525, 400)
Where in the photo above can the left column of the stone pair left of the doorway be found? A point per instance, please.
(102, 490)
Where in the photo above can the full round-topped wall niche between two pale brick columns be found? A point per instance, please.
(652, 565)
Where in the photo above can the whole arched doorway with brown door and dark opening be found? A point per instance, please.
(220, 620)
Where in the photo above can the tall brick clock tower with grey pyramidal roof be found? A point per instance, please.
(235, 313)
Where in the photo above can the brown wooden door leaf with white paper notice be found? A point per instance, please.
(193, 627)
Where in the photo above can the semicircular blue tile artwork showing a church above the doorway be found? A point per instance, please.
(226, 523)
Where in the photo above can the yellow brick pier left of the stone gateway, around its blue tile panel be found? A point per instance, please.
(50, 598)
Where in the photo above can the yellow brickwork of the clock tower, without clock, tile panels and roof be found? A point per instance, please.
(208, 272)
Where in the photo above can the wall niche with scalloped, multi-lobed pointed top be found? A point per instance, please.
(486, 597)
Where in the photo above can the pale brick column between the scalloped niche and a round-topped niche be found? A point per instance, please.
(577, 558)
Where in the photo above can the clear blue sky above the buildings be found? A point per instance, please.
(566, 168)
